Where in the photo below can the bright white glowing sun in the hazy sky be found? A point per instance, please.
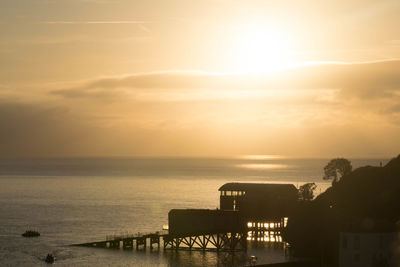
(260, 48)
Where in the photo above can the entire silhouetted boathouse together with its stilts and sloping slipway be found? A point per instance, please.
(249, 212)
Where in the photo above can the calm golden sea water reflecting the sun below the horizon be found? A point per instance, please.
(80, 200)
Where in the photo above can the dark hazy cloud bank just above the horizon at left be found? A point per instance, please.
(46, 129)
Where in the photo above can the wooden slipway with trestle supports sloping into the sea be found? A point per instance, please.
(205, 242)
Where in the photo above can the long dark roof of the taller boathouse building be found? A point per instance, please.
(256, 187)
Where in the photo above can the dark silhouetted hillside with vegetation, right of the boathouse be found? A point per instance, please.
(363, 200)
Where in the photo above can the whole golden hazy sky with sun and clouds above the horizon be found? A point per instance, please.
(200, 78)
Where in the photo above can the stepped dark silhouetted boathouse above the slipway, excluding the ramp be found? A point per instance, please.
(247, 210)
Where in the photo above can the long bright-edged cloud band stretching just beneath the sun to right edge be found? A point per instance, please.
(371, 80)
